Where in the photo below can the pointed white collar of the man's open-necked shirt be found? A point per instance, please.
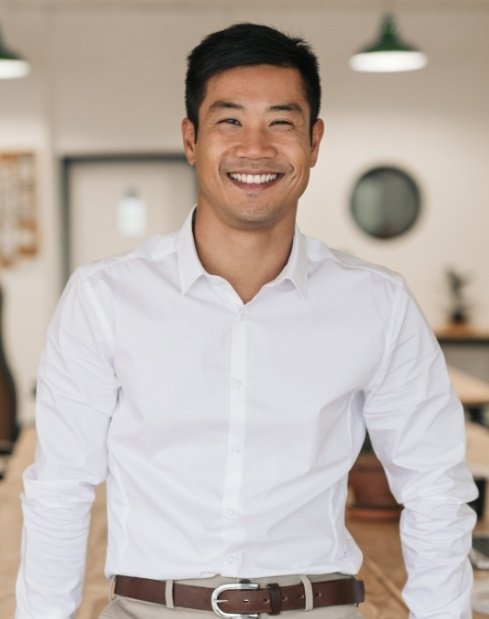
(190, 268)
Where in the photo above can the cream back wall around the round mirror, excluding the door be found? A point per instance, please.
(112, 80)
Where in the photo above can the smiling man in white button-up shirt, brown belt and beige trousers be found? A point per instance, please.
(221, 378)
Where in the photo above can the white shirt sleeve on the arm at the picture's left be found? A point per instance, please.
(76, 394)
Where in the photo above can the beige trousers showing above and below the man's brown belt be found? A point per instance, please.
(127, 608)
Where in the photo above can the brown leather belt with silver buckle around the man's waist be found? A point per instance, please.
(243, 598)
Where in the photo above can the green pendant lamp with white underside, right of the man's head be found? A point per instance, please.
(389, 53)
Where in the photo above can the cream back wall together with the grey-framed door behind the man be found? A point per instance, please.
(101, 107)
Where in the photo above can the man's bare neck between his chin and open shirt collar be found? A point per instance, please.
(247, 259)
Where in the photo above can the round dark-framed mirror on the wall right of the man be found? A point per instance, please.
(385, 202)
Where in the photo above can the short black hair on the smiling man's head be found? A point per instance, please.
(243, 45)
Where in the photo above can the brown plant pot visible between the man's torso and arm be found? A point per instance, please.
(372, 498)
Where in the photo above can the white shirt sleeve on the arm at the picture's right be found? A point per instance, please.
(416, 424)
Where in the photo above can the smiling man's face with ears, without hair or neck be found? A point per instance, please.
(254, 149)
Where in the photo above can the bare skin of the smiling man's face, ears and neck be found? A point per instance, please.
(256, 144)
